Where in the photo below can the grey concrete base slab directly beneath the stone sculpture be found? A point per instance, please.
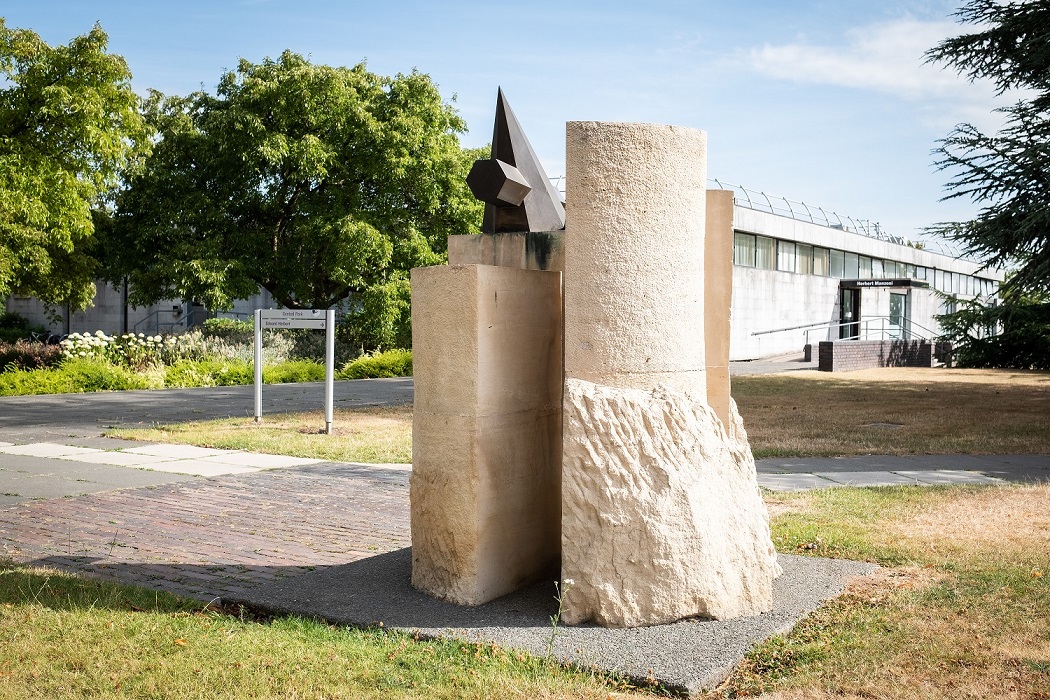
(687, 656)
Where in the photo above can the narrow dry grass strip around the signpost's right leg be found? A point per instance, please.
(376, 435)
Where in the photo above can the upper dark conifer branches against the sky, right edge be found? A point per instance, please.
(1005, 173)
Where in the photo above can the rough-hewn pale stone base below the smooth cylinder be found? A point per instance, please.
(662, 515)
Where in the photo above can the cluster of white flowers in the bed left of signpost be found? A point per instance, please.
(135, 351)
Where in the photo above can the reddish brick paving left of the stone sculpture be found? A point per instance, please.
(219, 537)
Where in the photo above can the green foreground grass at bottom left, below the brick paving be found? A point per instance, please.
(64, 637)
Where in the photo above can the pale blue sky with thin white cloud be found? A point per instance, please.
(822, 101)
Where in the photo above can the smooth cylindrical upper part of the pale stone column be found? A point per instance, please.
(636, 207)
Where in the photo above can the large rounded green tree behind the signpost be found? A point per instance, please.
(316, 183)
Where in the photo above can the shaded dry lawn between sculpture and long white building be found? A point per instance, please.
(896, 412)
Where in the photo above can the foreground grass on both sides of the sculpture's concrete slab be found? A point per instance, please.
(960, 610)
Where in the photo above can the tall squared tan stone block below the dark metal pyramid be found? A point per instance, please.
(486, 487)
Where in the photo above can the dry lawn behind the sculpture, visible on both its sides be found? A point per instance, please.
(801, 414)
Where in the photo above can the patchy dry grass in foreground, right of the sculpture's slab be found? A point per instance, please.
(960, 610)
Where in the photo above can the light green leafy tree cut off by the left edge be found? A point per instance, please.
(70, 123)
